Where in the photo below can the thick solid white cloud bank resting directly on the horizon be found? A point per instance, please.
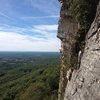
(11, 41)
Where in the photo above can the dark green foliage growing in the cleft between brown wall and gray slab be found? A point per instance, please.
(83, 11)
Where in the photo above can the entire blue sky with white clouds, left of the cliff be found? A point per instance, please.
(29, 25)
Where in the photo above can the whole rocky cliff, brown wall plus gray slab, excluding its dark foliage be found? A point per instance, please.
(80, 70)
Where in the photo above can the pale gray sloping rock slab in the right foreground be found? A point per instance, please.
(85, 82)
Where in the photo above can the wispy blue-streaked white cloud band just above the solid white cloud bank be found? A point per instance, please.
(47, 31)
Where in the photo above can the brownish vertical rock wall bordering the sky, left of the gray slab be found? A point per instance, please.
(67, 33)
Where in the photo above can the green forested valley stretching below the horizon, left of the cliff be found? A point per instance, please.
(30, 79)
